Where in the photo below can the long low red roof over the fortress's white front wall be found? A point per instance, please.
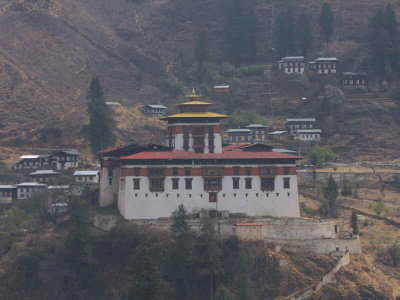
(226, 154)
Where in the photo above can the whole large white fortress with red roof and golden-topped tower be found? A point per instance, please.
(244, 179)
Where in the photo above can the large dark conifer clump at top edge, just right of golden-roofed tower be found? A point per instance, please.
(240, 33)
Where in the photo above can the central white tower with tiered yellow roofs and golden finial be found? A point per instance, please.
(194, 128)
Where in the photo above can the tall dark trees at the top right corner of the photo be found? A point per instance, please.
(384, 43)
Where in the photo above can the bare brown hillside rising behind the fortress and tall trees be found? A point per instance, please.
(141, 50)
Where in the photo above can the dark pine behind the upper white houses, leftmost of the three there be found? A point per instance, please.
(285, 33)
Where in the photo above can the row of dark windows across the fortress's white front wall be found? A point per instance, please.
(210, 184)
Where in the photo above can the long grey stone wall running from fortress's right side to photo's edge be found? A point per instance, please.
(306, 177)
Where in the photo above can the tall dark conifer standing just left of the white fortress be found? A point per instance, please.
(100, 130)
